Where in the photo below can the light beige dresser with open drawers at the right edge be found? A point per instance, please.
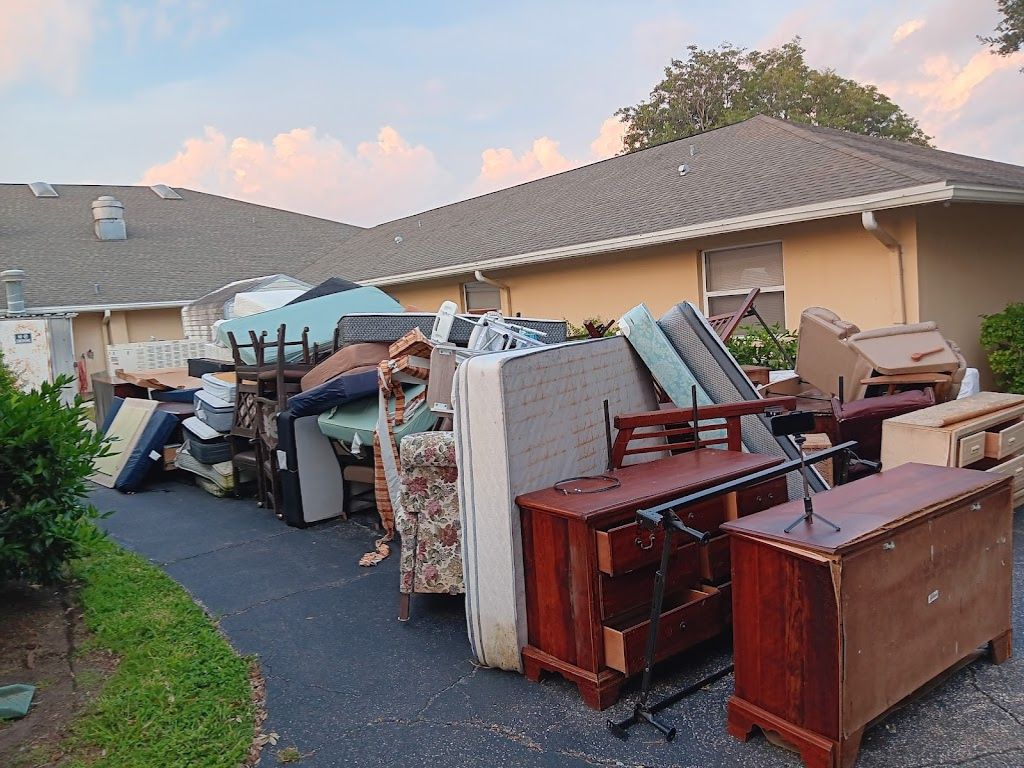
(985, 432)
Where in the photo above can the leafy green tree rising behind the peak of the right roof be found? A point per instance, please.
(719, 87)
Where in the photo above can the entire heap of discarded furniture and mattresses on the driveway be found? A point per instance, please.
(611, 503)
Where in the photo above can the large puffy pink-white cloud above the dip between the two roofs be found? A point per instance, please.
(304, 170)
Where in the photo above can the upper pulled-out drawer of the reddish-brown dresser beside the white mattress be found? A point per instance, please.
(629, 547)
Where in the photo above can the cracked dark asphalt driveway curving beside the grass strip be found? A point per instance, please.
(348, 685)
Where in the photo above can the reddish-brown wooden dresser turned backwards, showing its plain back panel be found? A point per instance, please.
(833, 629)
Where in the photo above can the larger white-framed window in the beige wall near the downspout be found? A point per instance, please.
(732, 273)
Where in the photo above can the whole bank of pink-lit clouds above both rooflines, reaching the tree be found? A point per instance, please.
(305, 170)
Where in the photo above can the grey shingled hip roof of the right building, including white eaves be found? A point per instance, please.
(756, 174)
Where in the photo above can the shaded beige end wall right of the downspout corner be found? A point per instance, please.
(972, 265)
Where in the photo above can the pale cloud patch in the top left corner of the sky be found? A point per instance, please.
(46, 41)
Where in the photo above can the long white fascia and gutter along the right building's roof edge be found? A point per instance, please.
(938, 192)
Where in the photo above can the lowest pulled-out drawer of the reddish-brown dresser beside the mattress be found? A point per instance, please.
(689, 619)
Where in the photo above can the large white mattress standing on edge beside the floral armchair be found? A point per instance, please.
(525, 420)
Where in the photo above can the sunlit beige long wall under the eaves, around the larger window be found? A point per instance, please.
(833, 264)
